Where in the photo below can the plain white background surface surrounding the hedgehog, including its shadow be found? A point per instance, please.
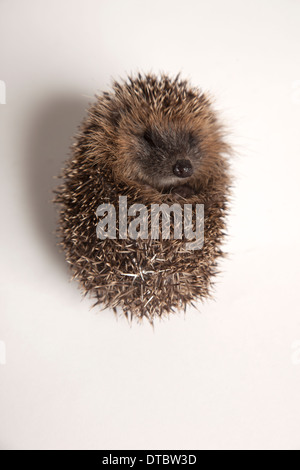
(227, 377)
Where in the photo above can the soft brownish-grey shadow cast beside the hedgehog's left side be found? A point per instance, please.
(51, 135)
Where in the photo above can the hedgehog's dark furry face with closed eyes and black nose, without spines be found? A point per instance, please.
(167, 158)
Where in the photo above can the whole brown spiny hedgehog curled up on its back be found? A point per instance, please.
(150, 142)
